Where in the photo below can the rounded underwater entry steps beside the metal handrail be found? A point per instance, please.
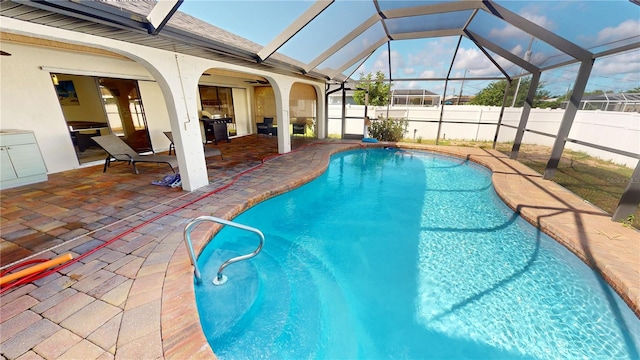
(292, 313)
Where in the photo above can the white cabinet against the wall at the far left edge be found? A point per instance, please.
(21, 162)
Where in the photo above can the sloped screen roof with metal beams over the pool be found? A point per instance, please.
(349, 37)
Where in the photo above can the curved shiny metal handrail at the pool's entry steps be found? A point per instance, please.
(220, 278)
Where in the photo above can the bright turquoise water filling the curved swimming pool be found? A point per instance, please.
(393, 254)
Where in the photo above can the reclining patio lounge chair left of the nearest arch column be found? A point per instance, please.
(118, 150)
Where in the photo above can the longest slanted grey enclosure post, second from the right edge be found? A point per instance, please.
(567, 118)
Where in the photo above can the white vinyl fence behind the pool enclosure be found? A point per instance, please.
(616, 130)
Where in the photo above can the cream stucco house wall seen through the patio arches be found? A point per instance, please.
(29, 101)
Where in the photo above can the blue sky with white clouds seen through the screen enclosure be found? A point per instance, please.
(594, 25)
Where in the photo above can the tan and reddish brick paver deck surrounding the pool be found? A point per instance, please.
(133, 298)
